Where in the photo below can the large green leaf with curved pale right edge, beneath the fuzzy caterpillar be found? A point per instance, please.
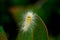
(38, 32)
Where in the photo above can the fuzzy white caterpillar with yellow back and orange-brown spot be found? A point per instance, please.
(28, 20)
